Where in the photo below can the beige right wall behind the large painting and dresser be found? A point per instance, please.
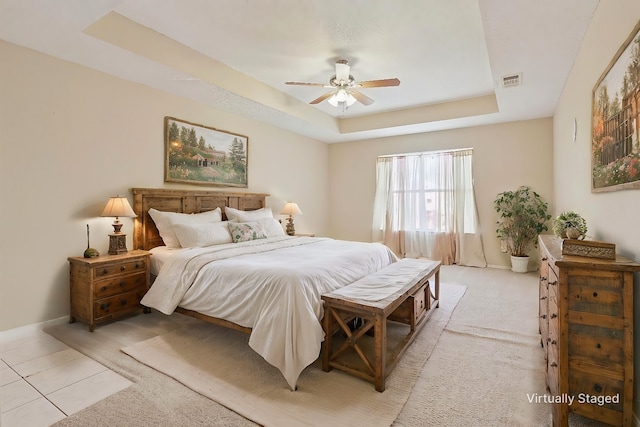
(611, 216)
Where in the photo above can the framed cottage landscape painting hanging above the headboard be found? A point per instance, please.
(197, 154)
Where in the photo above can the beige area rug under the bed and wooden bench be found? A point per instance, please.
(218, 363)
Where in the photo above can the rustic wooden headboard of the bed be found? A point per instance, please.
(145, 233)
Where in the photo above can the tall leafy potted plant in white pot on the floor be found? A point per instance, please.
(522, 216)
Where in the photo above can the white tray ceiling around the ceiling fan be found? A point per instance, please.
(235, 55)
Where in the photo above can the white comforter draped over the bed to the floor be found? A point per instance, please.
(273, 286)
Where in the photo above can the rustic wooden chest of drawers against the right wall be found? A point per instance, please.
(586, 323)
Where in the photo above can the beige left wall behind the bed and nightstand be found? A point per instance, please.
(72, 137)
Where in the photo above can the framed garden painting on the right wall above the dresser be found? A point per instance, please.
(615, 125)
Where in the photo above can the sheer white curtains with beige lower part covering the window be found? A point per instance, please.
(425, 207)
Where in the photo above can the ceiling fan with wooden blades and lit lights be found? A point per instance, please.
(345, 89)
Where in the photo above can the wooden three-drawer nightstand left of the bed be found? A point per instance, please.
(107, 287)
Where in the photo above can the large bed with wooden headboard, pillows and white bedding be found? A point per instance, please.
(269, 287)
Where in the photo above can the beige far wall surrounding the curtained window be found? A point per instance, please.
(504, 157)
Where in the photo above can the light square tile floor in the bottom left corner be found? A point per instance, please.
(43, 381)
